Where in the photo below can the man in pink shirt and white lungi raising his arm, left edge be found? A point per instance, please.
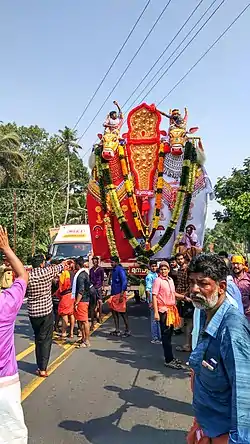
(12, 426)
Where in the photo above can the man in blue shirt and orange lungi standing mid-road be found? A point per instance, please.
(118, 299)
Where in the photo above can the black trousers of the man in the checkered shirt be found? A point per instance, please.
(43, 329)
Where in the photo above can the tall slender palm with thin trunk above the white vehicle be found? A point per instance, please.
(67, 143)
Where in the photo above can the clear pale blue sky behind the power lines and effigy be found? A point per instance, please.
(54, 53)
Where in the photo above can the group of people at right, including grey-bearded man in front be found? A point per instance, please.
(208, 296)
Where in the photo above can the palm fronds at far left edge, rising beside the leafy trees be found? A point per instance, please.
(10, 157)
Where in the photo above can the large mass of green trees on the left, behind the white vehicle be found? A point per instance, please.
(41, 178)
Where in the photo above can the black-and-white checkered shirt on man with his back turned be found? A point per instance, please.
(39, 290)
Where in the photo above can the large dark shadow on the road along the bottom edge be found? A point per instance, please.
(106, 429)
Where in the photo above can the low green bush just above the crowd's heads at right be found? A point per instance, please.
(222, 237)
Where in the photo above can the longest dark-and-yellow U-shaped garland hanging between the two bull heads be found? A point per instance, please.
(143, 255)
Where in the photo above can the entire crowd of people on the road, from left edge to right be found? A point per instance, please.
(206, 297)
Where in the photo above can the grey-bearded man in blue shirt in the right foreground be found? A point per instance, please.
(221, 360)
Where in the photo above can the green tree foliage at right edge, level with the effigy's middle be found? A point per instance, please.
(234, 194)
